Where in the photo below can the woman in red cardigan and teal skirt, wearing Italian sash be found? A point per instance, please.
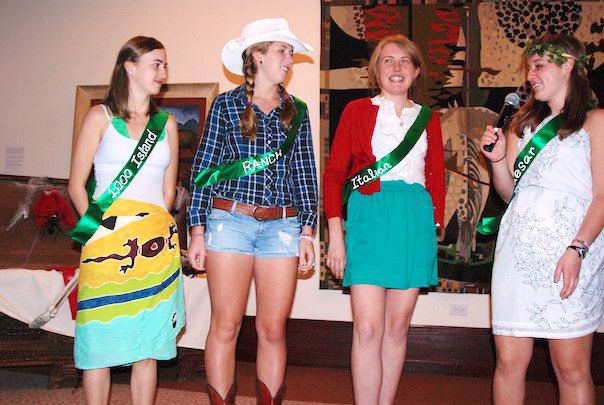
(387, 164)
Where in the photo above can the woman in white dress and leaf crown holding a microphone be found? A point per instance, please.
(548, 275)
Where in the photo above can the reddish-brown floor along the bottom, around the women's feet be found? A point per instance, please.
(324, 385)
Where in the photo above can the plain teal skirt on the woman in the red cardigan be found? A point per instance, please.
(391, 238)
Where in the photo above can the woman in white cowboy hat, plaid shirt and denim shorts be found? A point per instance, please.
(254, 206)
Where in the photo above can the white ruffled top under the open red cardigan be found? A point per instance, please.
(388, 133)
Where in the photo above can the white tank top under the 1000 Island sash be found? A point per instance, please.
(112, 154)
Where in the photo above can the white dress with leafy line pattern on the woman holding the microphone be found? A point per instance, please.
(542, 219)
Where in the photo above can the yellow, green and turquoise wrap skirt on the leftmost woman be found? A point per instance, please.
(130, 298)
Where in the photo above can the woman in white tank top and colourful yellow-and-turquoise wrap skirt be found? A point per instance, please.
(130, 301)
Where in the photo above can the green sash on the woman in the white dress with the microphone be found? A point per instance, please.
(525, 158)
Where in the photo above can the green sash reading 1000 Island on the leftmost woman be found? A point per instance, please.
(91, 220)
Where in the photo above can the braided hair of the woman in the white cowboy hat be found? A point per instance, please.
(248, 120)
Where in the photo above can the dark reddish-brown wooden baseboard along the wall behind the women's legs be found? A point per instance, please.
(432, 349)
